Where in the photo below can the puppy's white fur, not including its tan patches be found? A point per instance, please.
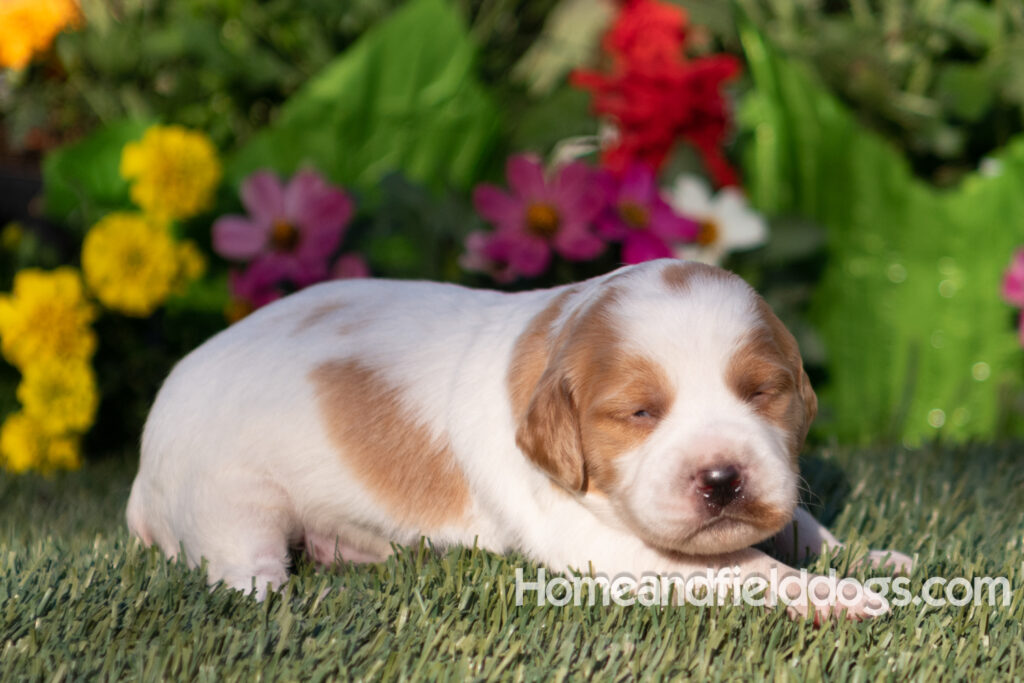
(237, 464)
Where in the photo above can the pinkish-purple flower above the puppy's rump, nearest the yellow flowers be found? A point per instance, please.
(292, 231)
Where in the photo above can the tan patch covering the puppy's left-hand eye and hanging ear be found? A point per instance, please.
(579, 397)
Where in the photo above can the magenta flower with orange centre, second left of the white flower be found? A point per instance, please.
(541, 215)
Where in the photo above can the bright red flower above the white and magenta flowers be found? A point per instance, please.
(656, 96)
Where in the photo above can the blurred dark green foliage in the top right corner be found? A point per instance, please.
(941, 79)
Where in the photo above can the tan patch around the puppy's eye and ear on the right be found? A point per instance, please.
(767, 373)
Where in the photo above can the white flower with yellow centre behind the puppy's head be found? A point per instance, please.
(728, 224)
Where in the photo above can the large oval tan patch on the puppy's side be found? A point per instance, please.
(412, 472)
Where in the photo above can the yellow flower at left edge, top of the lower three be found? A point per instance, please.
(47, 318)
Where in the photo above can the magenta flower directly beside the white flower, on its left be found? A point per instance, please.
(638, 217)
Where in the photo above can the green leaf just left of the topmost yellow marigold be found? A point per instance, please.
(81, 182)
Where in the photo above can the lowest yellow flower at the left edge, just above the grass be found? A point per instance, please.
(26, 446)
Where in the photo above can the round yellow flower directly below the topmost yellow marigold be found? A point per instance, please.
(132, 264)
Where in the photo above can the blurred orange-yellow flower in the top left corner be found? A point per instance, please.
(28, 27)
